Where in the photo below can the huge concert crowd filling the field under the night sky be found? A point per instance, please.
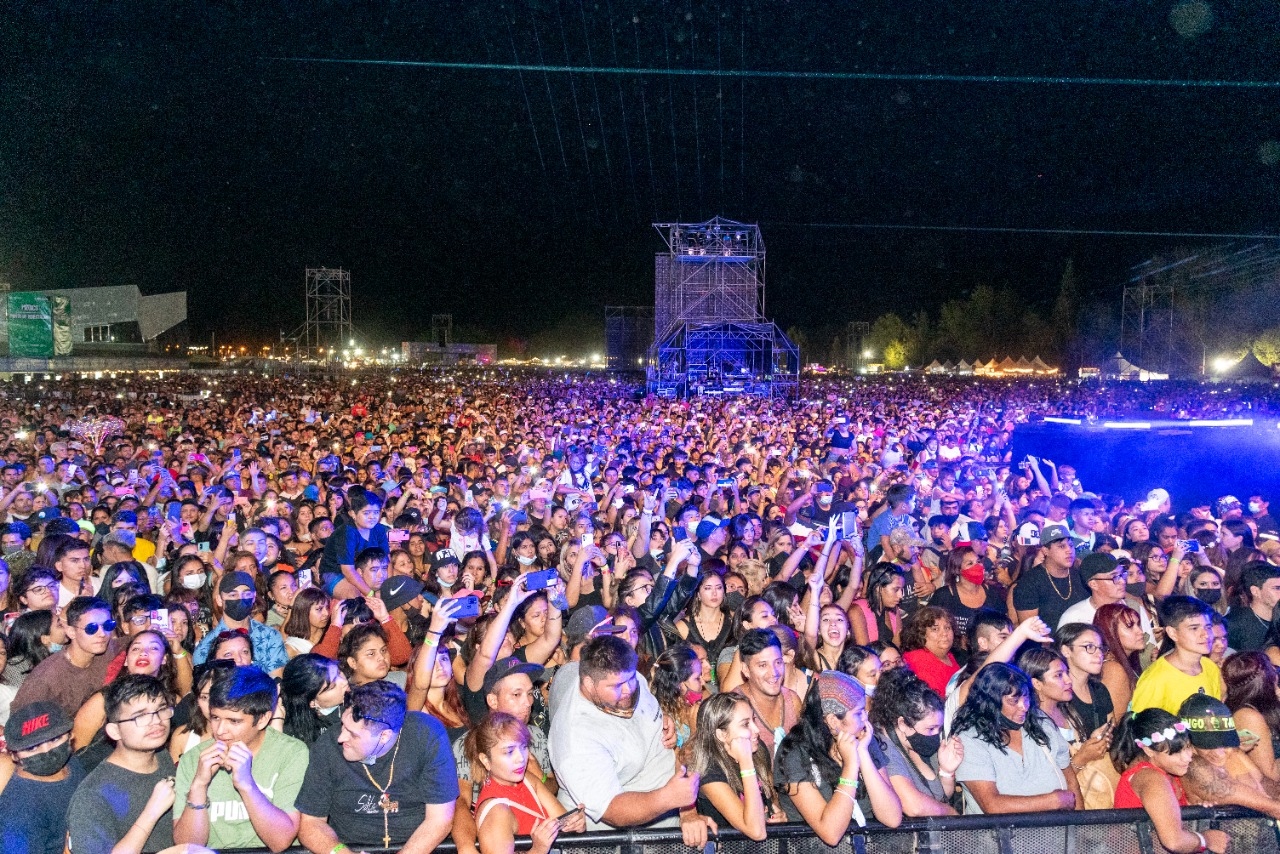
(396, 609)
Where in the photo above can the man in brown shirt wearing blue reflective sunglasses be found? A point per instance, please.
(72, 675)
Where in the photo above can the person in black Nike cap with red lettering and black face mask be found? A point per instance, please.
(34, 803)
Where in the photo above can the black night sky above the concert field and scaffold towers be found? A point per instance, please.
(171, 147)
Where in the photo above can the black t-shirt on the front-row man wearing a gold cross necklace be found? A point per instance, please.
(341, 792)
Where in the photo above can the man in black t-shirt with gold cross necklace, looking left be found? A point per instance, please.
(383, 779)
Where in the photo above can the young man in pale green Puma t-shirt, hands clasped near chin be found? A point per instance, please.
(239, 789)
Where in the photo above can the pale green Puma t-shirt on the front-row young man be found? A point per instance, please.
(280, 768)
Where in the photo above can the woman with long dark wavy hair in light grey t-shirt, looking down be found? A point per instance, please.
(1014, 759)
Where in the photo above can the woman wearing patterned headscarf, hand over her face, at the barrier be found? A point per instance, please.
(826, 756)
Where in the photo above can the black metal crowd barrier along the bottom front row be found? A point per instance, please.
(1113, 832)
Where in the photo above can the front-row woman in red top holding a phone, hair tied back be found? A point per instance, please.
(513, 803)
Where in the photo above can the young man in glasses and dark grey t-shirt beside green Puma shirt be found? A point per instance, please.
(124, 805)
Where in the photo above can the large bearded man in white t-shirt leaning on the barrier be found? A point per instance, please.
(607, 747)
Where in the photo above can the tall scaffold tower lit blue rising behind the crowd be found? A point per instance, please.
(711, 335)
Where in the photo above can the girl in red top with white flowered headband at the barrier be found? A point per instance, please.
(1154, 751)
